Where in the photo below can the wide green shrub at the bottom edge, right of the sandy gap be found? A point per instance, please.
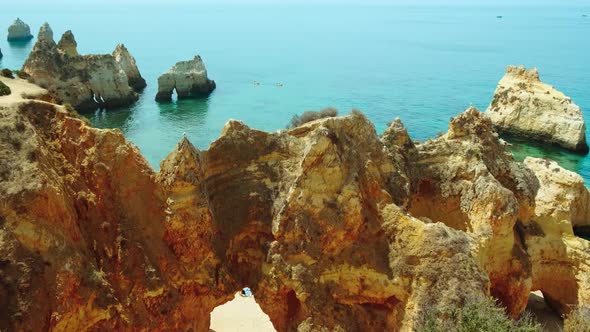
(482, 314)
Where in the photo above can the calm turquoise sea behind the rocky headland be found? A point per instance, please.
(422, 64)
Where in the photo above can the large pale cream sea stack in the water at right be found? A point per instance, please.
(526, 107)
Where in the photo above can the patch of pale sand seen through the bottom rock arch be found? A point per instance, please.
(240, 314)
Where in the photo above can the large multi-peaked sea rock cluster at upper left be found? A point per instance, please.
(85, 81)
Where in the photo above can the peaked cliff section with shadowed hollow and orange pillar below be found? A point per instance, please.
(466, 180)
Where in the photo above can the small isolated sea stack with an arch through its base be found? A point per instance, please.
(188, 78)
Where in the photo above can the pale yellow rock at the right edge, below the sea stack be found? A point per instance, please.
(560, 260)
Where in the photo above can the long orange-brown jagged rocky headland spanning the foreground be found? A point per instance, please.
(332, 226)
